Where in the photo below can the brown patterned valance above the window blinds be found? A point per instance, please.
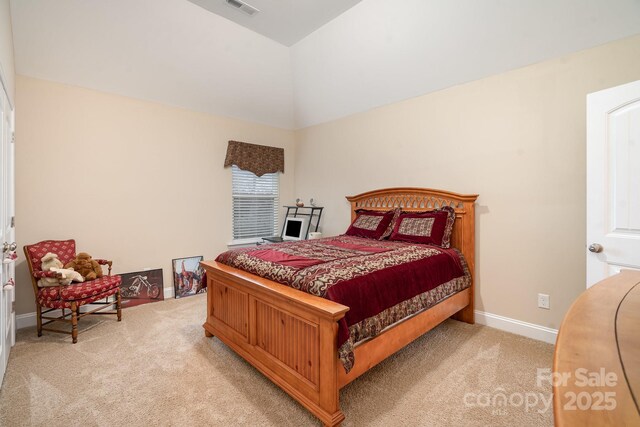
(259, 159)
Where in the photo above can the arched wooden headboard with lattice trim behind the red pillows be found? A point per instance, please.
(426, 199)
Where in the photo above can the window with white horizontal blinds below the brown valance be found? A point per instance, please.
(255, 204)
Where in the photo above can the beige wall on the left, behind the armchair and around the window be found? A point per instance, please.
(137, 182)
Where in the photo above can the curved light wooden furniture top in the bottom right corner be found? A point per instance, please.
(597, 357)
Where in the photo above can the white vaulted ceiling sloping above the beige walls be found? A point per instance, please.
(372, 53)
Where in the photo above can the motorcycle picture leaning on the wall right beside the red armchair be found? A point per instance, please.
(141, 287)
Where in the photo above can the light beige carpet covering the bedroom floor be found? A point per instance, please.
(157, 368)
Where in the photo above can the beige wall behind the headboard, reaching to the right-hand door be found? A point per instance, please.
(517, 139)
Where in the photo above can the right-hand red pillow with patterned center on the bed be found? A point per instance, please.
(432, 227)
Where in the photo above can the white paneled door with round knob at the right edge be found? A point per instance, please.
(613, 181)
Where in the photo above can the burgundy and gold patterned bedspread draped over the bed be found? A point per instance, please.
(381, 282)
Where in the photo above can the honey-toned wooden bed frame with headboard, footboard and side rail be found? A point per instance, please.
(293, 337)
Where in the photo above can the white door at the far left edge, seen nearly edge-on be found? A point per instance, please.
(7, 235)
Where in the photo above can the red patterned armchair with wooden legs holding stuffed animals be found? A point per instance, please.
(71, 297)
